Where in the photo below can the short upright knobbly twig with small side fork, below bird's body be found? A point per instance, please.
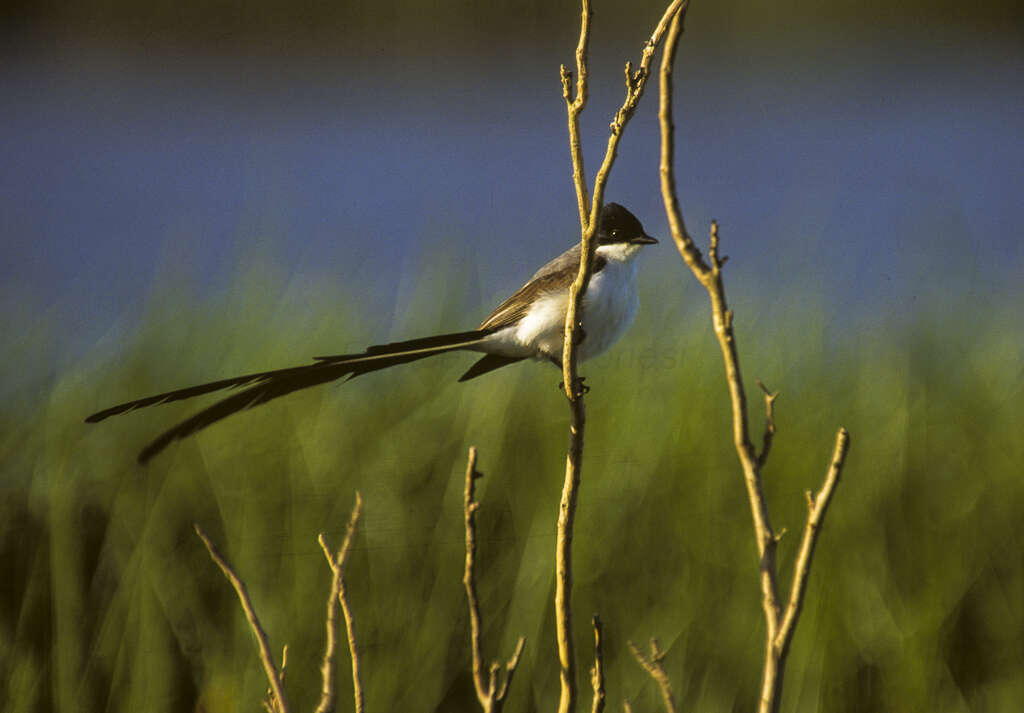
(489, 693)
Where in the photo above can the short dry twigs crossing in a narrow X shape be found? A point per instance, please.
(339, 595)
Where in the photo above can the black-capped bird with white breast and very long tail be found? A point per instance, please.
(530, 324)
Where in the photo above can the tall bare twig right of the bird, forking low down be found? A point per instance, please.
(780, 624)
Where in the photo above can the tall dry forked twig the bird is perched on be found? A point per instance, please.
(635, 83)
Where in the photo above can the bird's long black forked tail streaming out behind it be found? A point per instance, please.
(268, 386)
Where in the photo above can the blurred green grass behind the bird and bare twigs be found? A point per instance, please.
(916, 602)
